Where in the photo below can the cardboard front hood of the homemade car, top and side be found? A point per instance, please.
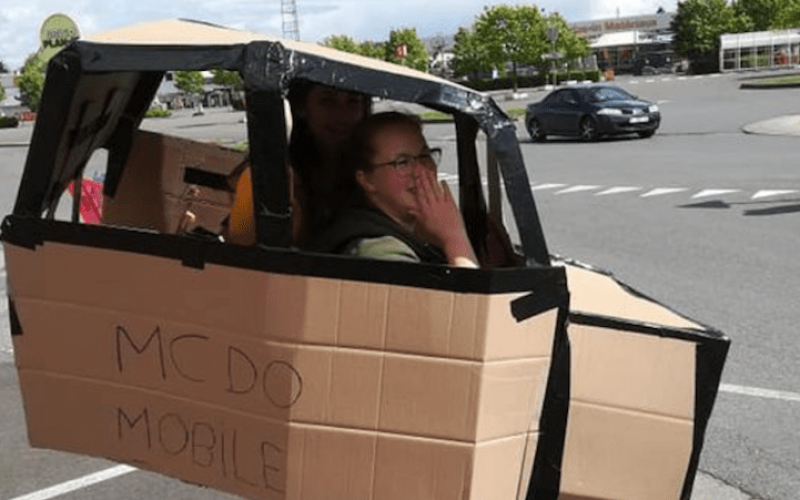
(634, 412)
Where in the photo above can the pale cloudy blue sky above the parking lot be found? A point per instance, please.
(21, 20)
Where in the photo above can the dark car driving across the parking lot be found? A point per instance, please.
(590, 112)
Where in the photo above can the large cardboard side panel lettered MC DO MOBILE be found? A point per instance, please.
(418, 401)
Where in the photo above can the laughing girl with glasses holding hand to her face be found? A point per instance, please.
(398, 210)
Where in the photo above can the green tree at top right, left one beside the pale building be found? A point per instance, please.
(698, 25)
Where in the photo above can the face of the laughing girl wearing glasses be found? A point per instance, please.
(388, 188)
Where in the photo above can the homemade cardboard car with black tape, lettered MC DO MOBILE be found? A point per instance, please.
(271, 372)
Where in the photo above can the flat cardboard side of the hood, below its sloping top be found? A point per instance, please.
(630, 428)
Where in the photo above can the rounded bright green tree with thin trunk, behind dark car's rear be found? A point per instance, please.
(515, 34)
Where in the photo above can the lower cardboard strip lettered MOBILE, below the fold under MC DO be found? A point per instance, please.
(256, 457)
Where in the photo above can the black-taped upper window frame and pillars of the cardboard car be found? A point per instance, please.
(268, 68)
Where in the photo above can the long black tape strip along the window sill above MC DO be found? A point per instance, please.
(290, 261)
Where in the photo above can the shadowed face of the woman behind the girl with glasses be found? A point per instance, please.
(332, 114)
